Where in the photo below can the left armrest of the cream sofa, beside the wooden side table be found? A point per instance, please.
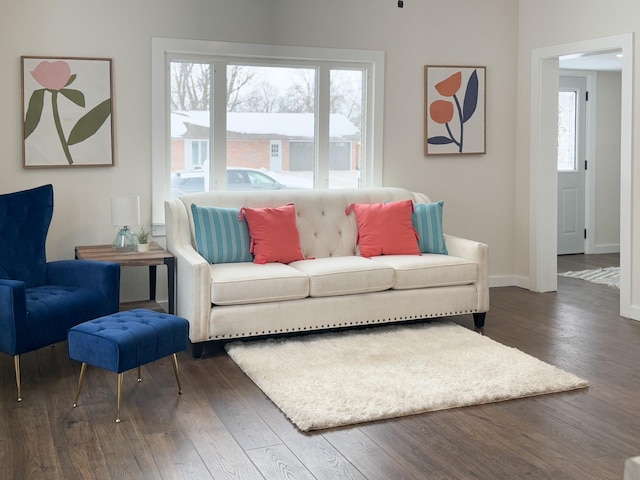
(193, 272)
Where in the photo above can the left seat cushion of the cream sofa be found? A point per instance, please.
(239, 283)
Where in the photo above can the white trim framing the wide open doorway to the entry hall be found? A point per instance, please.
(543, 201)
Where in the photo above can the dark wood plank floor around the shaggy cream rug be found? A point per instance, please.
(224, 427)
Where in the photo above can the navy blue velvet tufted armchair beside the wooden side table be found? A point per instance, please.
(39, 300)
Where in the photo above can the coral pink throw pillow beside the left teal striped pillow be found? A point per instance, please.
(274, 234)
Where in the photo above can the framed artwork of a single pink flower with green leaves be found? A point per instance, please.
(67, 117)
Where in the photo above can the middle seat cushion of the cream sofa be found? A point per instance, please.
(344, 275)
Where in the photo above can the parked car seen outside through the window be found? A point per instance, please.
(238, 178)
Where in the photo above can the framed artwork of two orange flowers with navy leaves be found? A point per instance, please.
(455, 110)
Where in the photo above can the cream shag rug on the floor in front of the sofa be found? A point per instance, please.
(331, 379)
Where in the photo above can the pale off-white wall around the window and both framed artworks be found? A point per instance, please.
(478, 190)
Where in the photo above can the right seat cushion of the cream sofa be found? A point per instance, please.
(429, 270)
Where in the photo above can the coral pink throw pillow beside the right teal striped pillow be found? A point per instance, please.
(386, 228)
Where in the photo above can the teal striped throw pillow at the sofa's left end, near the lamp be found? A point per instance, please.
(220, 236)
